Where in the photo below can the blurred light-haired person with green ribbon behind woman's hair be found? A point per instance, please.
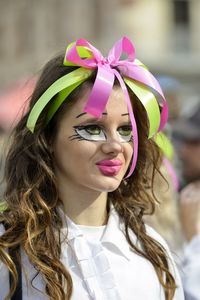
(166, 219)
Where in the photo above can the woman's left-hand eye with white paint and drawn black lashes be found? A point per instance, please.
(91, 132)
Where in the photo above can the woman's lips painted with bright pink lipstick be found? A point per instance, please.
(109, 167)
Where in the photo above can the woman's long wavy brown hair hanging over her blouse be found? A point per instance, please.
(32, 198)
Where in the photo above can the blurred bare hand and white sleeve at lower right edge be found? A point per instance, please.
(190, 218)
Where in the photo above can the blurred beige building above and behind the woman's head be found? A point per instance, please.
(165, 32)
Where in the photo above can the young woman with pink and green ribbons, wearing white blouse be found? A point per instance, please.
(77, 174)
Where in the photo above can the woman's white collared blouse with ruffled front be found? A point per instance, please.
(102, 266)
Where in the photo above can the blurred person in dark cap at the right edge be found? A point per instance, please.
(187, 137)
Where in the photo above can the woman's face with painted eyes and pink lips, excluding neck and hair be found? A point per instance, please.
(91, 153)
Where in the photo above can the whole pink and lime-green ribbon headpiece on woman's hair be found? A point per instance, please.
(129, 72)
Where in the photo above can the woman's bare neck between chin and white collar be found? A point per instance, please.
(83, 206)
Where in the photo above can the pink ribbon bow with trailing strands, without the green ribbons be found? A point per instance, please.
(107, 69)
